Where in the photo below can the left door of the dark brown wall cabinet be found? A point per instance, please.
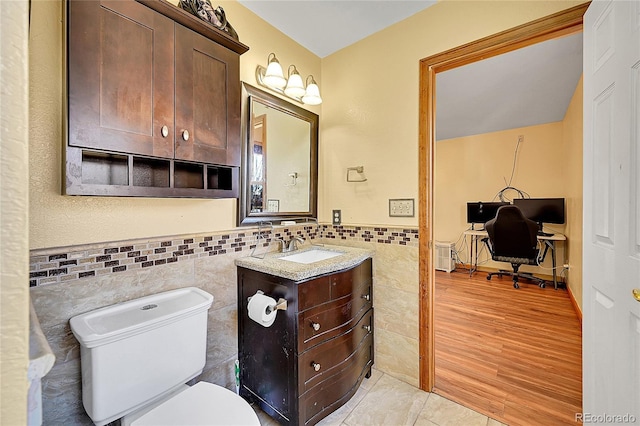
(121, 81)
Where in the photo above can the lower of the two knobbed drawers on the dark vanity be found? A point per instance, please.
(323, 361)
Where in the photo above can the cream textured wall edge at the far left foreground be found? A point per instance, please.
(14, 175)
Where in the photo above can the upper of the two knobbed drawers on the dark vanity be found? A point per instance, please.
(332, 319)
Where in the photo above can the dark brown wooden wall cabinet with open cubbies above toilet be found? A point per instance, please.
(154, 102)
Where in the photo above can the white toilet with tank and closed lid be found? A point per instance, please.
(137, 356)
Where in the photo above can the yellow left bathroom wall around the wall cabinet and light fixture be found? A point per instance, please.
(57, 220)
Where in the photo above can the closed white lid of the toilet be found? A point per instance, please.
(202, 404)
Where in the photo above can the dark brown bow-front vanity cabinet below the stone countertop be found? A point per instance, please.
(312, 359)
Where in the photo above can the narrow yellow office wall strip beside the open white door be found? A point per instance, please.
(572, 158)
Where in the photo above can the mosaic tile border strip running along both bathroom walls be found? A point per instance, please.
(58, 265)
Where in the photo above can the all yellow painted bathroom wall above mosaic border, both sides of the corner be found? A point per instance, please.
(369, 117)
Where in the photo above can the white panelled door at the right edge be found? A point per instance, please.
(611, 246)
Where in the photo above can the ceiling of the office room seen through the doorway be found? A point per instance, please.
(526, 87)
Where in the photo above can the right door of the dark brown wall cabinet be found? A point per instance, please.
(207, 100)
